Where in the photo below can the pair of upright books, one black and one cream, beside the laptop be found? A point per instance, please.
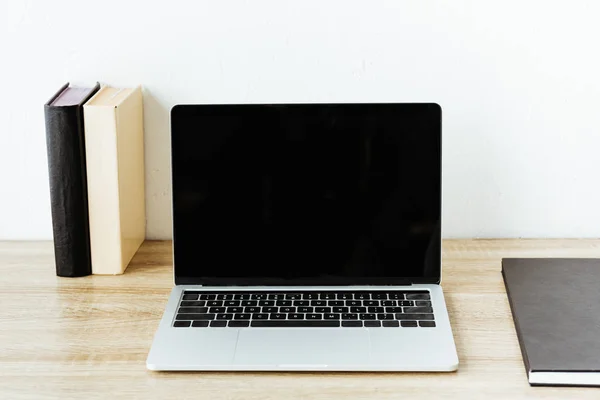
(95, 141)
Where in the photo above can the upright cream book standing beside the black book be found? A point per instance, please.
(114, 144)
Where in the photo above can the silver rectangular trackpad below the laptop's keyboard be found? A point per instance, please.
(302, 348)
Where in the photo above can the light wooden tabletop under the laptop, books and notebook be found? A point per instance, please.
(88, 338)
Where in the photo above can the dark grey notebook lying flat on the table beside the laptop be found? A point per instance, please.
(556, 308)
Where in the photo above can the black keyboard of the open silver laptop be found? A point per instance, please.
(375, 309)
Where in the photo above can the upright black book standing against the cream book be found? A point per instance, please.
(68, 185)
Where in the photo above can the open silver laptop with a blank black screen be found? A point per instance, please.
(306, 237)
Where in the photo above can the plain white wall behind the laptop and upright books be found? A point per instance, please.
(518, 81)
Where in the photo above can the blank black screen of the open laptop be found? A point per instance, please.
(306, 194)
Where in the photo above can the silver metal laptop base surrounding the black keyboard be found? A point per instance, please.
(304, 349)
